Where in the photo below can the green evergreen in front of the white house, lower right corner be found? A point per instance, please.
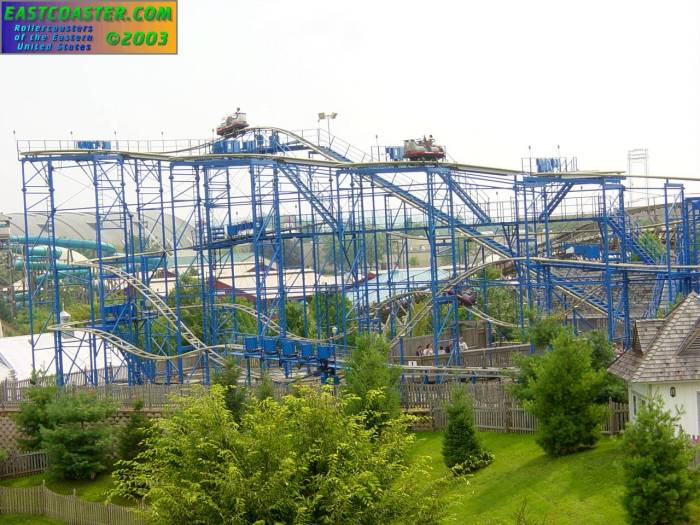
(659, 485)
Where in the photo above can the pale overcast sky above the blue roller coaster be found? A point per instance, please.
(487, 78)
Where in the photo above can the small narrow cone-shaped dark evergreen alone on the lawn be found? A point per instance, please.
(461, 448)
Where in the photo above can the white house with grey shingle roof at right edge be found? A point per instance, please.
(665, 361)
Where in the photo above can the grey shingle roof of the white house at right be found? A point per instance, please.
(665, 353)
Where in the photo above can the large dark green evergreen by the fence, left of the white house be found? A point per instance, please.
(563, 395)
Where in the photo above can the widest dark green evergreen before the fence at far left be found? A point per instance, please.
(78, 438)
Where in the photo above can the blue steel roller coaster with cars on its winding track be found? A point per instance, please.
(302, 241)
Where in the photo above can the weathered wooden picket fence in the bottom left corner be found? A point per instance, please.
(40, 501)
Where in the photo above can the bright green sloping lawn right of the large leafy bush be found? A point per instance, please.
(582, 488)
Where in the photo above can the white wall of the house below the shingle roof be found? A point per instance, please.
(686, 400)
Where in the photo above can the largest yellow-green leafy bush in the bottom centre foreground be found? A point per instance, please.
(303, 460)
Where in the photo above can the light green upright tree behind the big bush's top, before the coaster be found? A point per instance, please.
(367, 372)
